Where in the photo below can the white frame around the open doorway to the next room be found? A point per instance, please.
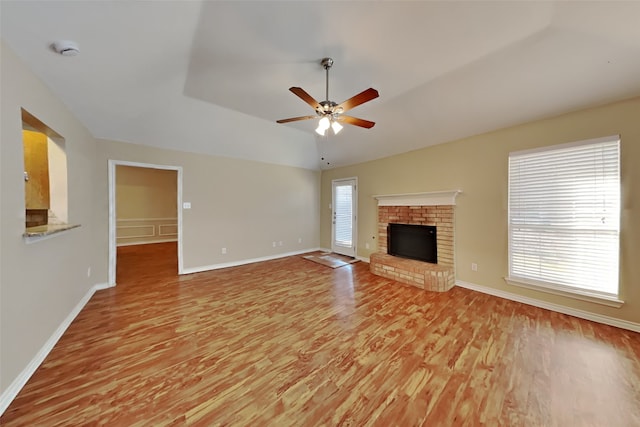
(112, 211)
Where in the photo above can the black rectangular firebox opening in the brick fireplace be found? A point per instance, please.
(413, 241)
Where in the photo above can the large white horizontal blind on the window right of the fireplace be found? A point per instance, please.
(564, 216)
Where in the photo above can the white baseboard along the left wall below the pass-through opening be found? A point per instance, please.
(14, 388)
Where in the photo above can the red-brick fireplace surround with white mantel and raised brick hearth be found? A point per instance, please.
(436, 209)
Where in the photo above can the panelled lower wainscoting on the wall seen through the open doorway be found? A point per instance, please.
(138, 231)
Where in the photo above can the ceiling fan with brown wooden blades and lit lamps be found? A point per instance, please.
(330, 113)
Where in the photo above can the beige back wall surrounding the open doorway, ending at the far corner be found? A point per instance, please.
(239, 205)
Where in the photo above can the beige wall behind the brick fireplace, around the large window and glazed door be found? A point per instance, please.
(478, 166)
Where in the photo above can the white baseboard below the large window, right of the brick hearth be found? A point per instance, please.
(598, 318)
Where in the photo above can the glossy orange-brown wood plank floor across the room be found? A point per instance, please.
(293, 343)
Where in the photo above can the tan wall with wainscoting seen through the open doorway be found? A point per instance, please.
(146, 205)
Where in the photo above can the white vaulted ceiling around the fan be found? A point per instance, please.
(213, 76)
